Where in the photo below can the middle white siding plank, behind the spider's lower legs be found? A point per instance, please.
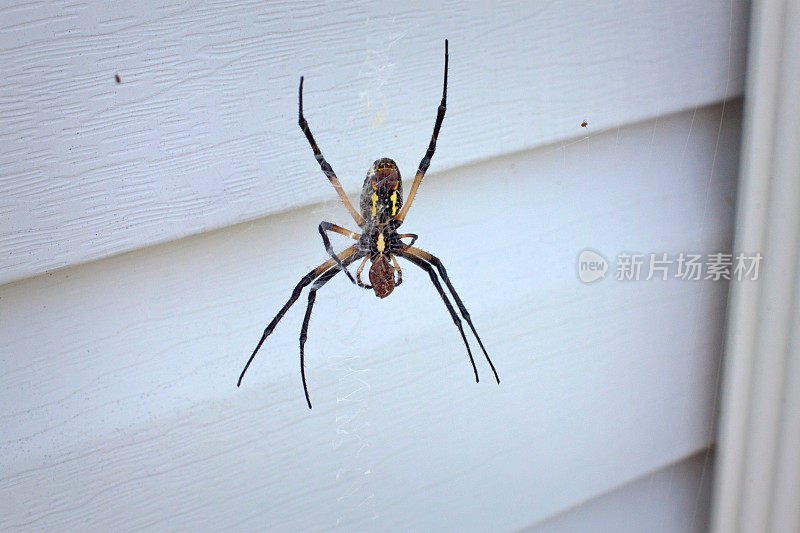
(119, 408)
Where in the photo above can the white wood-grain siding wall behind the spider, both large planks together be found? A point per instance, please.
(119, 408)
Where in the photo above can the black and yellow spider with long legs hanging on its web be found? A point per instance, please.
(381, 212)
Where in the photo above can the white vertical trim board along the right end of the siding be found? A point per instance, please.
(758, 482)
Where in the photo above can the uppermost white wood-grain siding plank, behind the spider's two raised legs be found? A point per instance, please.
(201, 131)
